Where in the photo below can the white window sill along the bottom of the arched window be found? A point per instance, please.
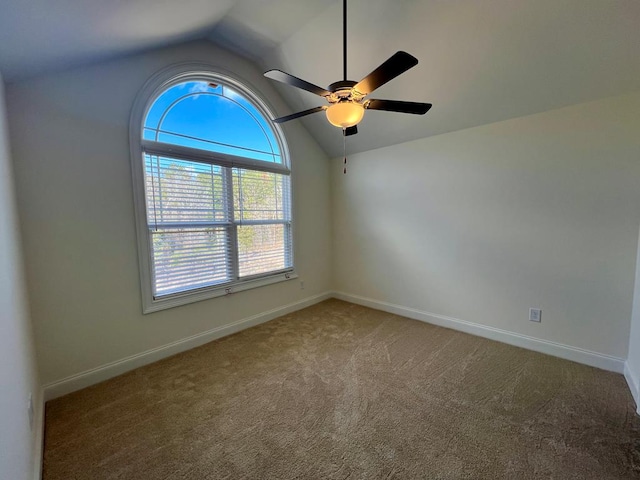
(185, 298)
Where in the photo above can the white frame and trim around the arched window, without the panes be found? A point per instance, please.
(153, 88)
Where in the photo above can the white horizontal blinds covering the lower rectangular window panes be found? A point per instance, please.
(212, 224)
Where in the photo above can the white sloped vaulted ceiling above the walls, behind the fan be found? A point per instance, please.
(481, 61)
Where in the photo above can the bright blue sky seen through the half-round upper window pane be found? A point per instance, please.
(211, 117)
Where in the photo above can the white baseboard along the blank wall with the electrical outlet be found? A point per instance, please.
(587, 357)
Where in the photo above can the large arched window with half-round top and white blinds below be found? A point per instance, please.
(213, 191)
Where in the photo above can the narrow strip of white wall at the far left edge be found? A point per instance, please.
(18, 377)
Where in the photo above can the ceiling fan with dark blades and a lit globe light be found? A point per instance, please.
(347, 99)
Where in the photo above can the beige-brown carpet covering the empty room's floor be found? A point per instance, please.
(340, 391)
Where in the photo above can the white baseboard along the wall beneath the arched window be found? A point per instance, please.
(113, 369)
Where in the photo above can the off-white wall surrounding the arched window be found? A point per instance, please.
(70, 137)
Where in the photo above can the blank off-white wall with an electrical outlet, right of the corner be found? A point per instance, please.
(481, 224)
